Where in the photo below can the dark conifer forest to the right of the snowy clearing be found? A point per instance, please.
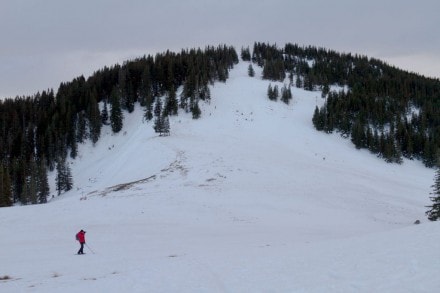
(391, 112)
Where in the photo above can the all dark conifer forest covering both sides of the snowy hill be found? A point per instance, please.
(393, 113)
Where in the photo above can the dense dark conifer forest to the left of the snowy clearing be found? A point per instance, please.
(39, 132)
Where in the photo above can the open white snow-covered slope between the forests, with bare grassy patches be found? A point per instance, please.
(249, 198)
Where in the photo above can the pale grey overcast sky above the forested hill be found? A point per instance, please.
(45, 42)
